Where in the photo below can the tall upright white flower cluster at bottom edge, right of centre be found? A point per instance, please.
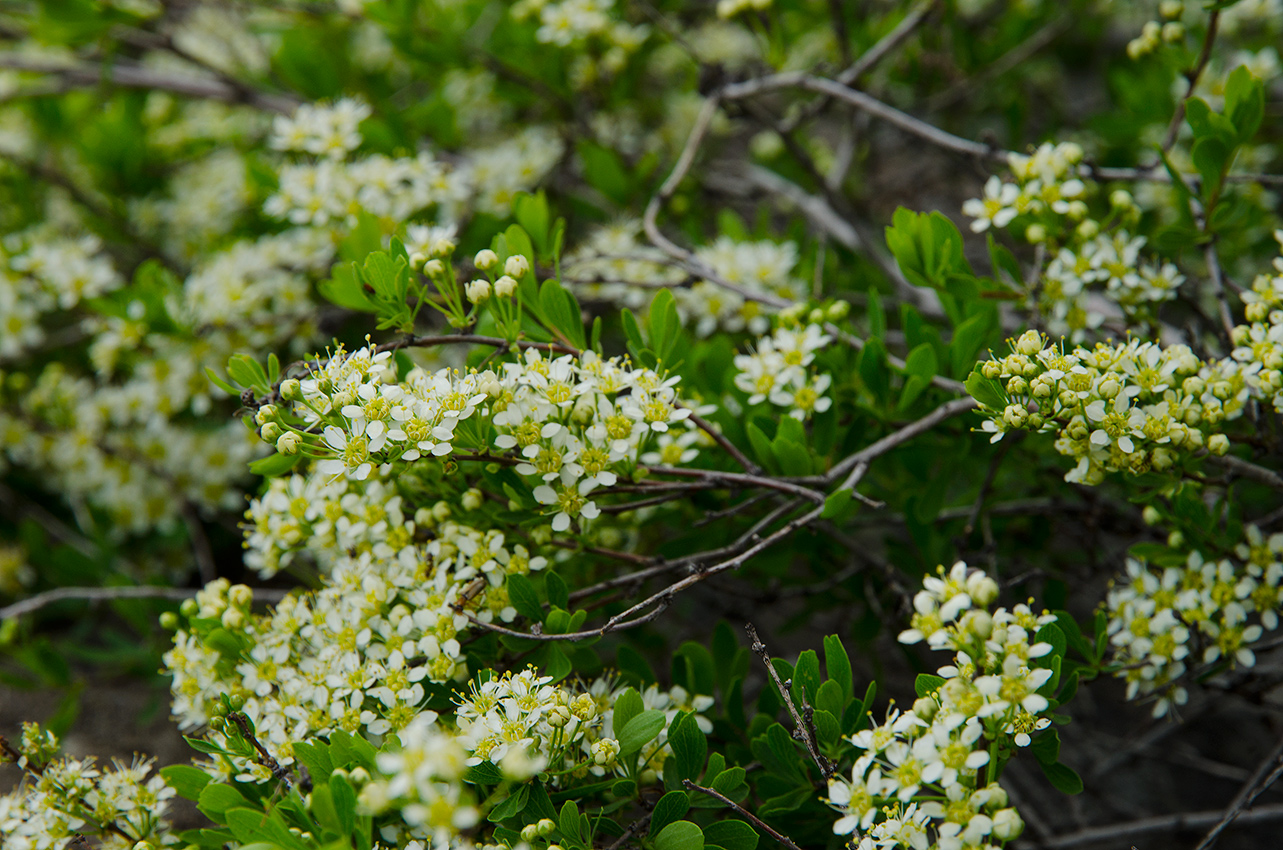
(924, 778)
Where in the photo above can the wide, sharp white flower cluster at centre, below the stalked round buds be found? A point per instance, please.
(574, 422)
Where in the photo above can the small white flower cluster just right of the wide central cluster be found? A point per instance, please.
(781, 372)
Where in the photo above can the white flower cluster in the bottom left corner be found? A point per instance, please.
(64, 799)
